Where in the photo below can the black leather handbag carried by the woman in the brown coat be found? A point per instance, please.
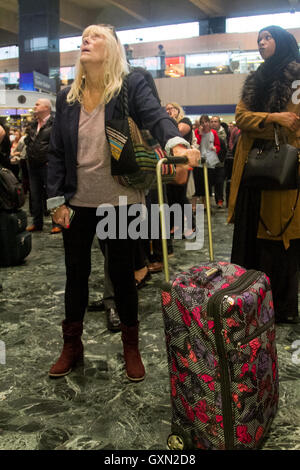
(272, 166)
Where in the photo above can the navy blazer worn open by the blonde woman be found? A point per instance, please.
(144, 108)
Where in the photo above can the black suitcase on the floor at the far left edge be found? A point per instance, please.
(15, 242)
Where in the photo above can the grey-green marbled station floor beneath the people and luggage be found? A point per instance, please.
(95, 407)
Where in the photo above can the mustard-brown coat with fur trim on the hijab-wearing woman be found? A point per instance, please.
(276, 206)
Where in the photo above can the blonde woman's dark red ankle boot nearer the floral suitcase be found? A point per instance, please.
(135, 370)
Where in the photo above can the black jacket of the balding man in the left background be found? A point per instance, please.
(37, 145)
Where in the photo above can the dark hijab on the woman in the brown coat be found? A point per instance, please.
(270, 76)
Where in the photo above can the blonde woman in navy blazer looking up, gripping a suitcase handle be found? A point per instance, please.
(79, 178)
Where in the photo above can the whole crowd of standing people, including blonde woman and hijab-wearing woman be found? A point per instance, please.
(61, 158)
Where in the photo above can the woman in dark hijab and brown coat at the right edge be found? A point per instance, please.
(261, 238)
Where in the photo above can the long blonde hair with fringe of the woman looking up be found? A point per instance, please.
(114, 67)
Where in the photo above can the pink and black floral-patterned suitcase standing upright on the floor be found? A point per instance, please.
(220, 337)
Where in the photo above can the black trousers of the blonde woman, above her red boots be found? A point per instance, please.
(78, 240)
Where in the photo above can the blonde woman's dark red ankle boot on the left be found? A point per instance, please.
(72, 352)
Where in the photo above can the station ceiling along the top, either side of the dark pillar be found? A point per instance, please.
(75, 15)
